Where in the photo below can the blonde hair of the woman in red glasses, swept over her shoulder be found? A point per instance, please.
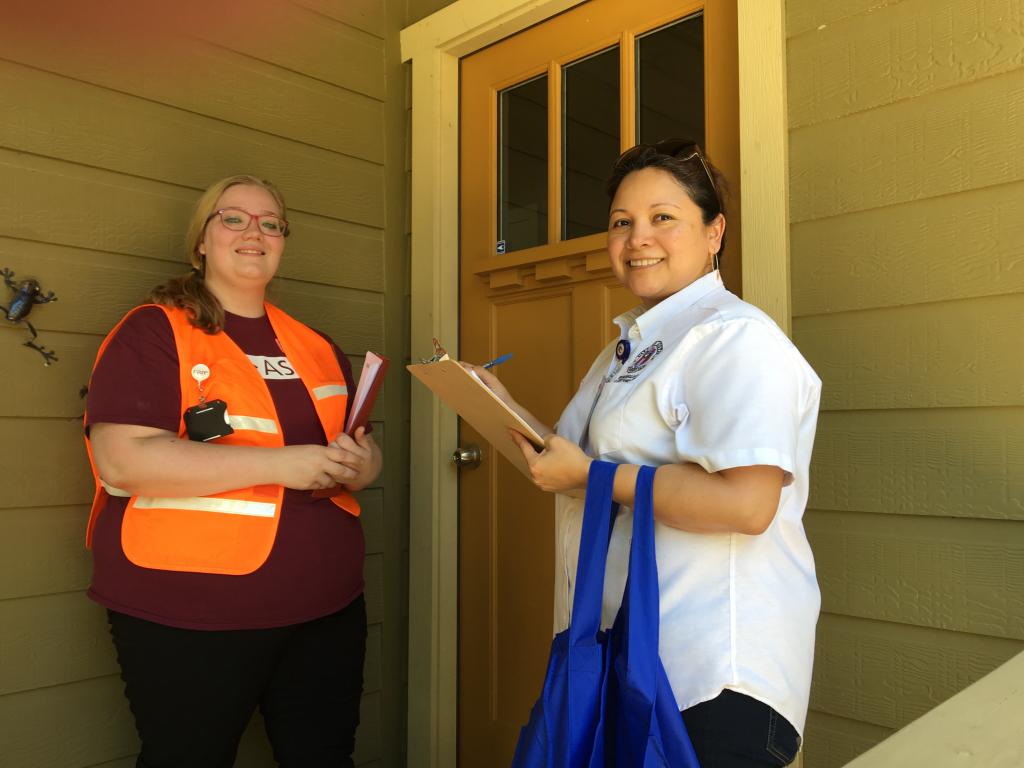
(190, 291)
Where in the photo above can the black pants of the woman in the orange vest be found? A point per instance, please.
(193, 692)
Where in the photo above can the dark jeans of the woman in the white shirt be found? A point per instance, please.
(734, 731)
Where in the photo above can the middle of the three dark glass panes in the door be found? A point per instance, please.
(590, 141)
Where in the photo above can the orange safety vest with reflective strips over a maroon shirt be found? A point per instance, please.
(234, 532)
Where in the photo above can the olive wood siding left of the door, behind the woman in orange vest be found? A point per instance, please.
(114, 120)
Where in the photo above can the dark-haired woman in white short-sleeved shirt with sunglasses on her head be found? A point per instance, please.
(708, 390)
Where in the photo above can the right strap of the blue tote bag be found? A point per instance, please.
(642, 600)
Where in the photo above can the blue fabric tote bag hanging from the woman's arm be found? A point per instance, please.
(607, 701)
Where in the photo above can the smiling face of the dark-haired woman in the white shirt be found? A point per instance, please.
(658, 242)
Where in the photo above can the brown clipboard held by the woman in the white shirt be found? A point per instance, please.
(482, 409)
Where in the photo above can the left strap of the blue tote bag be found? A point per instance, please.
(589, 588)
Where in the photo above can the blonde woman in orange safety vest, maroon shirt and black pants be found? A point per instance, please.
(230, 586)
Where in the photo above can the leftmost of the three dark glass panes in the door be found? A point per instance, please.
(523, 165)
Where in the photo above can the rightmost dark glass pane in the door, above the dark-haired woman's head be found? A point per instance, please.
(670, 82)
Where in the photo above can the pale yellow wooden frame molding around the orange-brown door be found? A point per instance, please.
(435, 47)
